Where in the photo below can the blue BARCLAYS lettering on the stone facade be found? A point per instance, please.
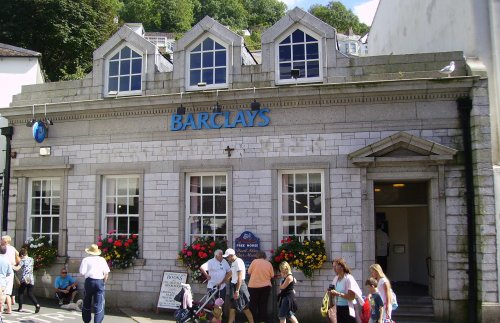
(217, 120)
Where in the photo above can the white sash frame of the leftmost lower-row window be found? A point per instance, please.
(30, 215)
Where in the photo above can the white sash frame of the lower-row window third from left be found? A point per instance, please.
(188, 234)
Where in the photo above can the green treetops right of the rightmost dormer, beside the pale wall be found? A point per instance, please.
(338, 16)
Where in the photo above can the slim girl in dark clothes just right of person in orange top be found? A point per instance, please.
(286, 298)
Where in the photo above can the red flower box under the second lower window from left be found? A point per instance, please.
(119, 251)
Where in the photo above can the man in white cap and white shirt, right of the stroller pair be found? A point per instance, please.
(238, 290)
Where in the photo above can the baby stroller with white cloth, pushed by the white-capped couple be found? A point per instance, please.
(190, 311)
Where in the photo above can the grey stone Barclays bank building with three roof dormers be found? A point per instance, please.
(338, 139)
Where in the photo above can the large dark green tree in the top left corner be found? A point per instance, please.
(66, 32)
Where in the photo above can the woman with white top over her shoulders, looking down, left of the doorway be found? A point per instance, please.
(344, 289)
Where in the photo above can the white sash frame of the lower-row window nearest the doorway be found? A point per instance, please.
(280, 202)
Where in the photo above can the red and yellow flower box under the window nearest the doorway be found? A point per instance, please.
(303, 255)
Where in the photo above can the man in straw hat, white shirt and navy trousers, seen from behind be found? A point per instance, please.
(96, 270)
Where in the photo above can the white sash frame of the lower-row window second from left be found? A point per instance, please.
(104, 228)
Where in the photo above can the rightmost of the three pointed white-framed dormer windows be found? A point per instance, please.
(299, 51)
